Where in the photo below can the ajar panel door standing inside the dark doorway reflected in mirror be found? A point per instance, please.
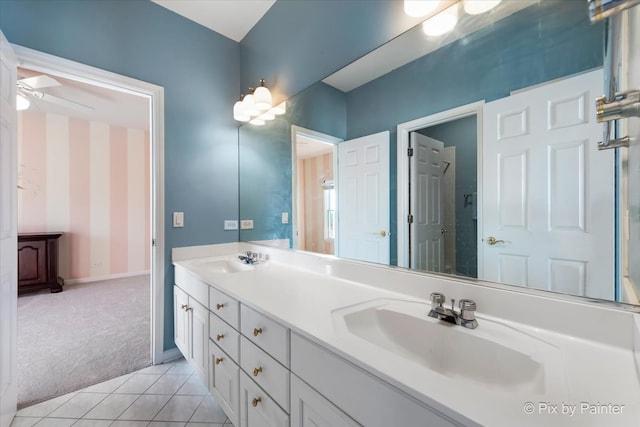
(427, 230)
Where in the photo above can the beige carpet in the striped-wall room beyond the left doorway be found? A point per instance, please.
(84, 335)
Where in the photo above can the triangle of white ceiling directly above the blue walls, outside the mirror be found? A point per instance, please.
(231, 18)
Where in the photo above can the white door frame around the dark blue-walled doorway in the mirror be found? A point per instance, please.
(404, 129)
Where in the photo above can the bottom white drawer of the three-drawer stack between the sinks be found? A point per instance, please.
(257, 409)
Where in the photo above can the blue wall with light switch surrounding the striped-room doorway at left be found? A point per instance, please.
(199, 70)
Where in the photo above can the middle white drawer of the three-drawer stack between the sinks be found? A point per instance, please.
(266, 371)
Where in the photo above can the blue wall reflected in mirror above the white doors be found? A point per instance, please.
(547, 41)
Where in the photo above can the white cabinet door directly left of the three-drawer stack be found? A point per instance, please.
(224, 382)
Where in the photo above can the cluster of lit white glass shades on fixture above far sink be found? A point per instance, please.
(256, 107)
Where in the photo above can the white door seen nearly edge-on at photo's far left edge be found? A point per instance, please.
(8, 233)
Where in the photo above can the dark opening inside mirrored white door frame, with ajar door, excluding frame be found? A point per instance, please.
(443, 199)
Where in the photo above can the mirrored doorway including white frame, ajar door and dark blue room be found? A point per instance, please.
(439, 214)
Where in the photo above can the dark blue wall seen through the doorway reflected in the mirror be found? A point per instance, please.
(462, 134)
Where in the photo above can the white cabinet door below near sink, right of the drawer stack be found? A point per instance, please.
(310, 409)
